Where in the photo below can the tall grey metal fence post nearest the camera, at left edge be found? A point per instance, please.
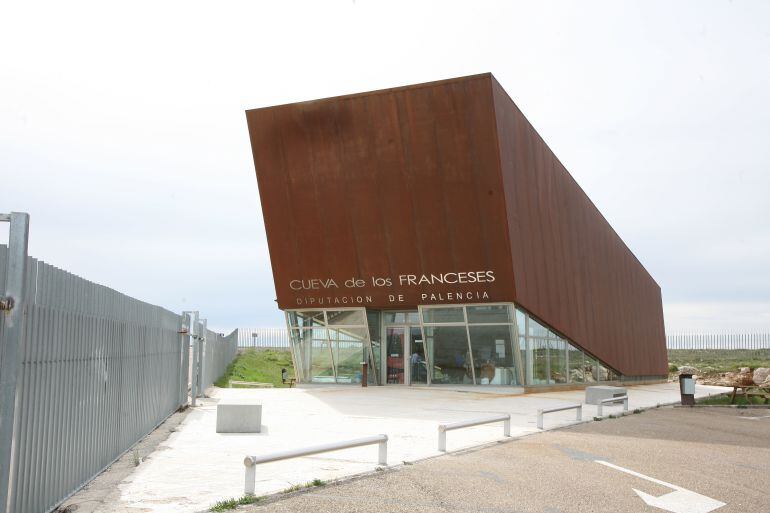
(12, 307)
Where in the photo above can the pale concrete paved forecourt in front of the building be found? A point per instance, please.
(196, 467)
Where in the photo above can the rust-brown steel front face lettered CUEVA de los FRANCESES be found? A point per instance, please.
(378, 187)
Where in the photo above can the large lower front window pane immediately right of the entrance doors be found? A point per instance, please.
(448, 352)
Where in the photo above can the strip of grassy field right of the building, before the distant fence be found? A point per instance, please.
(717, 361)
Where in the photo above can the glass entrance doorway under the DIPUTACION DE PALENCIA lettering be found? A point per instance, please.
(405, 357)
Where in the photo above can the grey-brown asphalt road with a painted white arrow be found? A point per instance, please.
(686, 460)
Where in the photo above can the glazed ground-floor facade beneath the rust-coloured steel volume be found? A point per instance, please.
(483, 344)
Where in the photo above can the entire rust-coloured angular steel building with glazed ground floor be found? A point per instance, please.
(429, 231)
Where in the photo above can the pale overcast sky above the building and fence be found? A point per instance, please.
(123, 134)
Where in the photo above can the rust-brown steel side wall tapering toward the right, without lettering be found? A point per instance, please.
(572, 270)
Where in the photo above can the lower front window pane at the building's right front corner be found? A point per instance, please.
(493, 357)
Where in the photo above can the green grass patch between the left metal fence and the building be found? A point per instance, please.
(259, 366)
